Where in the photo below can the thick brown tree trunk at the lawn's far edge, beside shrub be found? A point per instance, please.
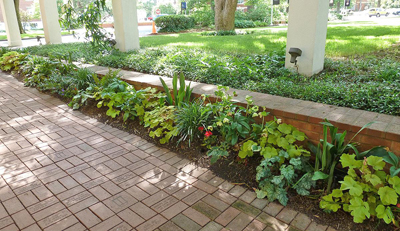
(225, 14)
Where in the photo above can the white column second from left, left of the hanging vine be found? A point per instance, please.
(51, 25)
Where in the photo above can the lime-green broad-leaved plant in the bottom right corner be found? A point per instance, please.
(366, 191)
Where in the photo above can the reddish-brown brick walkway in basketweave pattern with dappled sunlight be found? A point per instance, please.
(61, 170)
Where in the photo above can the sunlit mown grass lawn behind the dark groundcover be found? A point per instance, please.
(341, 40)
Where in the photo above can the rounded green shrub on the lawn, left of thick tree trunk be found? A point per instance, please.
(174, 23)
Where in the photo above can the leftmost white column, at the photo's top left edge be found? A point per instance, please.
(10, 20)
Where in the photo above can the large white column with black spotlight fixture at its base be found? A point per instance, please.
(308, 20)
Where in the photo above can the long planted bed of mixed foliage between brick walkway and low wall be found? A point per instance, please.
(268, 156)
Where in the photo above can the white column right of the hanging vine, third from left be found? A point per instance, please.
(126, 24)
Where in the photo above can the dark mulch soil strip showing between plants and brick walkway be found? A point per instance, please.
(235, 171)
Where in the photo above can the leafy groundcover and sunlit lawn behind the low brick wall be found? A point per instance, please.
(368, 81)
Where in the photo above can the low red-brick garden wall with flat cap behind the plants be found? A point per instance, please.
(304, 115)
